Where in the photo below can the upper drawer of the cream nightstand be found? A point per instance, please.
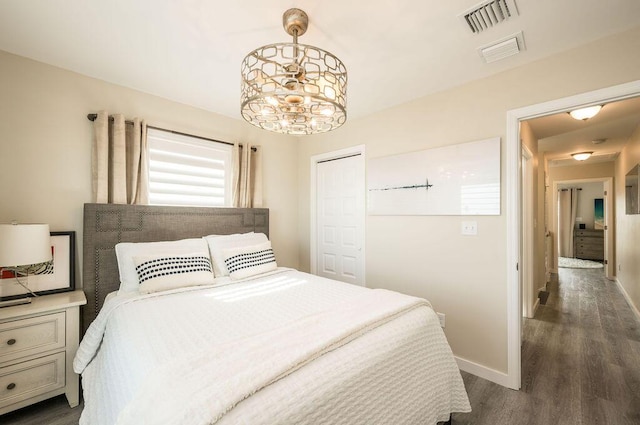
(20, 338)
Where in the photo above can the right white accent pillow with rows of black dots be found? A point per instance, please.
(249, 260)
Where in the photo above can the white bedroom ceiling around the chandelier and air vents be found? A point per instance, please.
(190, 50)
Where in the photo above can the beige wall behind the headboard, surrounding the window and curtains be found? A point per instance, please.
(45, 146)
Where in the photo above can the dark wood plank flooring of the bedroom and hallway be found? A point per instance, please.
(580, 365)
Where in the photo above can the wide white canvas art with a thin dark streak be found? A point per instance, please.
(461, 179)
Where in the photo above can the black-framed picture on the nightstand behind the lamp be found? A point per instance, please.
(58, 275)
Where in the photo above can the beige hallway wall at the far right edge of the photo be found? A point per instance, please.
(628, 226)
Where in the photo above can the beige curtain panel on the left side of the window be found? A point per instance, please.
(120, 164)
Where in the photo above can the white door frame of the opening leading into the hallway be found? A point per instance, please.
(514, 204)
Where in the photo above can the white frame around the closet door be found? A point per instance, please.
(313, 219)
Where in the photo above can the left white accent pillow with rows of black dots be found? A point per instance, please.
(164, 272)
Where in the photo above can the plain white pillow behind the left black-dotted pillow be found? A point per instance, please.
(125, 251)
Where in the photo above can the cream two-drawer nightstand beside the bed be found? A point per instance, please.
(38, 342)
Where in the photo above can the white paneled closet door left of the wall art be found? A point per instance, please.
(338, 214)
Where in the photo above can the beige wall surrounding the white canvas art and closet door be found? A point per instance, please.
(464, 277)
